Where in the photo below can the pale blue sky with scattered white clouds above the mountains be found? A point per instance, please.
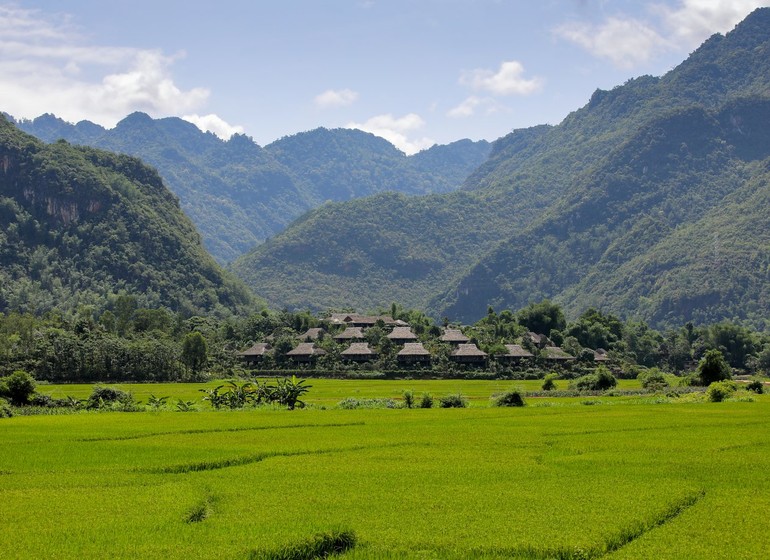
(416, 72)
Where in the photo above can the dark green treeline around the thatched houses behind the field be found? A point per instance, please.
(124, 342)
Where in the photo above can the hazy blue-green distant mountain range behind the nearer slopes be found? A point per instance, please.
(239, 194)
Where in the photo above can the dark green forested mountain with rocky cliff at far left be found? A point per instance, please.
(82, 226)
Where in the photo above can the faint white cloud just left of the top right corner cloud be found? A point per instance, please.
(626, 42)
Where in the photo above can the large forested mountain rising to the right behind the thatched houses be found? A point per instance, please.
(644, 202)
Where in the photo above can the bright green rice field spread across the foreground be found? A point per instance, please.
(626, 478)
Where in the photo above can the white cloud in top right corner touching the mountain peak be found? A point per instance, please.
(693, 21)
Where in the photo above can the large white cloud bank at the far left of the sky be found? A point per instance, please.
(45, 67)
